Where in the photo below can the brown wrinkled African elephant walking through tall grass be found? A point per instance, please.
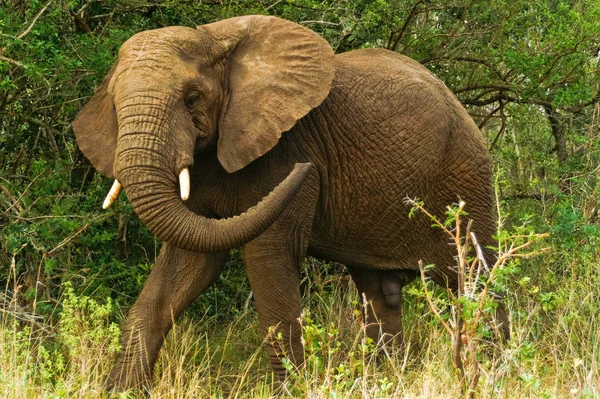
(250, 132)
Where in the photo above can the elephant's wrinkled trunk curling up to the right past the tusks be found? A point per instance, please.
(150, 182)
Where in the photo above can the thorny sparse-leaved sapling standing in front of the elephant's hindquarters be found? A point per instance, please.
(473, 301)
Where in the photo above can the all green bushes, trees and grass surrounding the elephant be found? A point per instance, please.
(527, 71)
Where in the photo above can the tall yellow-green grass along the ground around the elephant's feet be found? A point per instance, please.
(553, 352)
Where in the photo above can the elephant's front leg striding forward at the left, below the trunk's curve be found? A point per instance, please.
(177, 278)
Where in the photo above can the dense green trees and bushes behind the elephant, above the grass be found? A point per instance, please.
(527, 71)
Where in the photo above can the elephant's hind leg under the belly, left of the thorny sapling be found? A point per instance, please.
(381, 291)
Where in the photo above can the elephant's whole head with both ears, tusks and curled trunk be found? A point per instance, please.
(175, 92)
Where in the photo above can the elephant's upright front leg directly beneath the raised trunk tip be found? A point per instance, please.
(273, 262)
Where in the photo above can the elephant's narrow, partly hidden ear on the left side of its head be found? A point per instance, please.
(96, 129)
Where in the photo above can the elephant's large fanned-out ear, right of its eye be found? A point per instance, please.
(277, 72)
